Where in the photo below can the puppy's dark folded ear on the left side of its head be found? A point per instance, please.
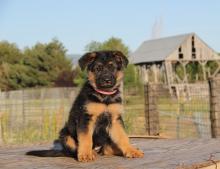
(86, 59)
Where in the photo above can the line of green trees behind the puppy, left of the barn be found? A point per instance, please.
(47, 64)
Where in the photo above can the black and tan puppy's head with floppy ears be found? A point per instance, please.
(105, 68)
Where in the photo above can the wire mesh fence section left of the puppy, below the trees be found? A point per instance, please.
(34, 115)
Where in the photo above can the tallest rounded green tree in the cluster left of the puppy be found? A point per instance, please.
(49, 60)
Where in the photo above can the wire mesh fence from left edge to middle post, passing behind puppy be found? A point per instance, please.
(37, 115)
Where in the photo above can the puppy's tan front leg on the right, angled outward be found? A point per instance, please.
(120, 138)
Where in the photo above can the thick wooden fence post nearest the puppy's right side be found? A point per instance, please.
(151, 112)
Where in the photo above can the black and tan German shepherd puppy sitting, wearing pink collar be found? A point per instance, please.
(95, 119)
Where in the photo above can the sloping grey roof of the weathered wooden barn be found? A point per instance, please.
(157, 49)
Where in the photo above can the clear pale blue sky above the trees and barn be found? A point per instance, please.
(77, 22)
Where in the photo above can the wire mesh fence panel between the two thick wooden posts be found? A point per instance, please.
(185, 114)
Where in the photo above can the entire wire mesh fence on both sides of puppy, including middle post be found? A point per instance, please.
(182, 111)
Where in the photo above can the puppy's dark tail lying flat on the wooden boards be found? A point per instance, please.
(47, 153)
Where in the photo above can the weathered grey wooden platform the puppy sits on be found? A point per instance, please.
(159, 154)
